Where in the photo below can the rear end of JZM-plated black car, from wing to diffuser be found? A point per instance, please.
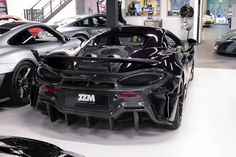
(114, 89)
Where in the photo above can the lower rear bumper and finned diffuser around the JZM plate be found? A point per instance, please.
(117, 108)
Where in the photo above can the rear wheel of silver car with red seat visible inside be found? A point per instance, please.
(21, 83)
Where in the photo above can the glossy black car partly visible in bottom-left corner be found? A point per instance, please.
(24, 147)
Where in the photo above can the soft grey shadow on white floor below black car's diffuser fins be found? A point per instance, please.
(99, 133)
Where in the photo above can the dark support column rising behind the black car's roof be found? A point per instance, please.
(112, 13)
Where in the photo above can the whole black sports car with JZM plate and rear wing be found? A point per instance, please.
(126, 72)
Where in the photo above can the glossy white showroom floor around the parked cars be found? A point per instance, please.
(208, 127)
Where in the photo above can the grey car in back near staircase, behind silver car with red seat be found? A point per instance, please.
(84, 26)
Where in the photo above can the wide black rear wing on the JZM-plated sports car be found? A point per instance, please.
(75, 63)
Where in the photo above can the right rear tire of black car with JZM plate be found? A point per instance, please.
(178, 116)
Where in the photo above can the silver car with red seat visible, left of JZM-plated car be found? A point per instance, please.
(18, 41)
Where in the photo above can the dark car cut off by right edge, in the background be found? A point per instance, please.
(226, 44)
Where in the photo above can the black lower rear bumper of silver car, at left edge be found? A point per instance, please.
(5, 84)
